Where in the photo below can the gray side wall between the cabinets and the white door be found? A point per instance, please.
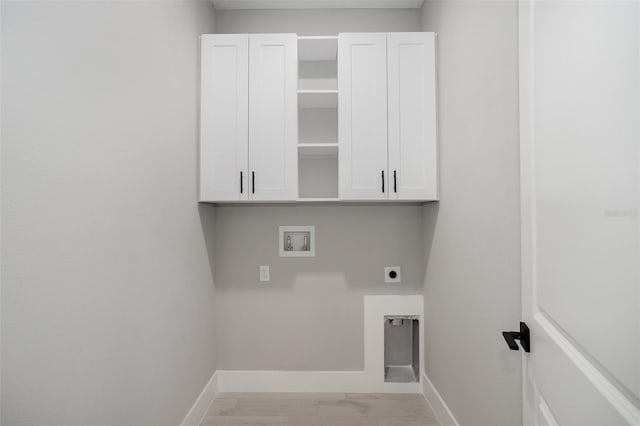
(472, 281)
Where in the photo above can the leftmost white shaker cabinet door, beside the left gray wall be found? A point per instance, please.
(224, 113)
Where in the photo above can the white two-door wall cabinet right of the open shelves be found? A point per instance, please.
(387, 116)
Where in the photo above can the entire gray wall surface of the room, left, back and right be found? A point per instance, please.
(107, 304)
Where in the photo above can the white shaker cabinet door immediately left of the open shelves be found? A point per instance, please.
(273, 116)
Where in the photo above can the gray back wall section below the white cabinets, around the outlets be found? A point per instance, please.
(310, 316)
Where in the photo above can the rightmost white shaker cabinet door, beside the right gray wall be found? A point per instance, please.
(413, 156)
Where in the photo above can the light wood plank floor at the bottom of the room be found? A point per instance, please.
(319, 409)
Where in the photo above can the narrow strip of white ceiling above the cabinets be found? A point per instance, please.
(316, 4)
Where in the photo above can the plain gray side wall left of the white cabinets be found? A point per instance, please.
(107, 298)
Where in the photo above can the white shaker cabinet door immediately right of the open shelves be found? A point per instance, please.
(362, 116)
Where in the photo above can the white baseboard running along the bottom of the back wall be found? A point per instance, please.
(308, 381)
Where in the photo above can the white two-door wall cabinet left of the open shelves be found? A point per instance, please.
(248, 118)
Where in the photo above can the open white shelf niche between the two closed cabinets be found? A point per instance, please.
(318, 118)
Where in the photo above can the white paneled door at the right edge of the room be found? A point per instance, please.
(580, 169)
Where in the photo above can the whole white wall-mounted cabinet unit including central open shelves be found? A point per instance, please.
(270, 105)
